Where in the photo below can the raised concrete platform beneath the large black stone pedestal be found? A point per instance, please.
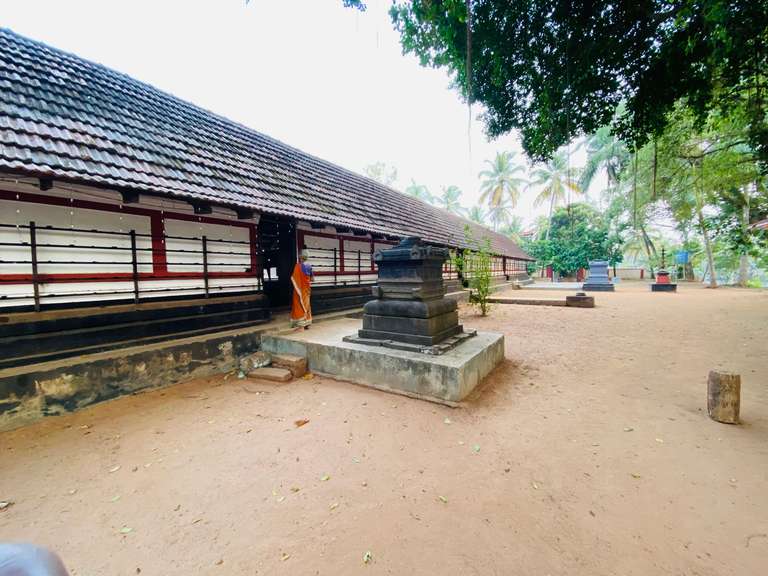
(447, 379)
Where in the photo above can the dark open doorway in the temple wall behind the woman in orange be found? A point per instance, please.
(277, 246)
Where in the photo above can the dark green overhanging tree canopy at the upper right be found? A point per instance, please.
(556, 69)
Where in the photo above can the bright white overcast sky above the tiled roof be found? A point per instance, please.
(326, 79)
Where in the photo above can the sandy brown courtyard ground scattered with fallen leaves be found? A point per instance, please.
(588, 452)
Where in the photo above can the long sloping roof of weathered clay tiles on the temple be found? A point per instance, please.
(68, 118)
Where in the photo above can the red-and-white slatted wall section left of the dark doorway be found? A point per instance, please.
(84, 250)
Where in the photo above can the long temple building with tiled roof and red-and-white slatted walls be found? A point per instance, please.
(143, 214)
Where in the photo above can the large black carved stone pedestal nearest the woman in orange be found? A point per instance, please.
(410, 311)
